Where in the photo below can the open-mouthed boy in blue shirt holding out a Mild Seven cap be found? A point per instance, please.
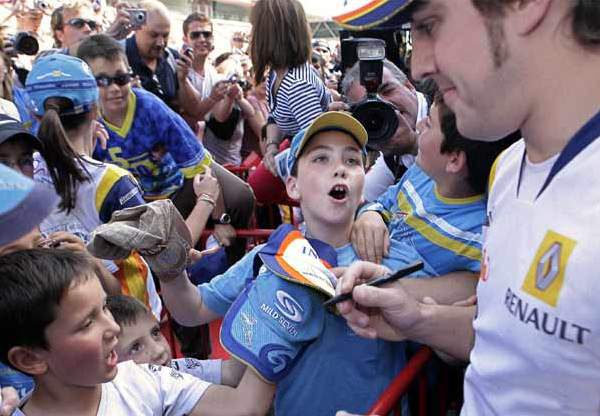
(336, 368)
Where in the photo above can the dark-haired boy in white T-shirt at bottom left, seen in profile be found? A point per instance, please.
(57, 328)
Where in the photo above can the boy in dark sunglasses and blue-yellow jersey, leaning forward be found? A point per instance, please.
(156, 145)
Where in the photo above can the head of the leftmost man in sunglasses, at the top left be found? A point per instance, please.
(71, 23)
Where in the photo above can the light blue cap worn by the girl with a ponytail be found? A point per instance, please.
(62, 76)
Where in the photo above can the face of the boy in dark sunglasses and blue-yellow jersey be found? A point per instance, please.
(112, 97)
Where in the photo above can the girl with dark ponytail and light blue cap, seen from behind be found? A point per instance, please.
(64, 95)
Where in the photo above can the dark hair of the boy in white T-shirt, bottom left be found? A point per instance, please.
(34, 283)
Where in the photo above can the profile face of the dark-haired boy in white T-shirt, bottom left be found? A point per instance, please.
(82, 339)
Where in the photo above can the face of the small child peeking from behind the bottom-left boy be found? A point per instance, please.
(143, 342)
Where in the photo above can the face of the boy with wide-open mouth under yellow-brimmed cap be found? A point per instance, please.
(330, 179)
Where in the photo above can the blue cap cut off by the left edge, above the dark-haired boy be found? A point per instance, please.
(24, 204)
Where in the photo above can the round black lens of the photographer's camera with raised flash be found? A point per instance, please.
(379, 120)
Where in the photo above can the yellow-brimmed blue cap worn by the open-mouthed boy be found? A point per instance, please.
(329, 121)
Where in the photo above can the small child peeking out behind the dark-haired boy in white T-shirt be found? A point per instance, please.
(142, 341)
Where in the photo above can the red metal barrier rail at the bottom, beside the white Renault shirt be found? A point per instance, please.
(400, 384)
